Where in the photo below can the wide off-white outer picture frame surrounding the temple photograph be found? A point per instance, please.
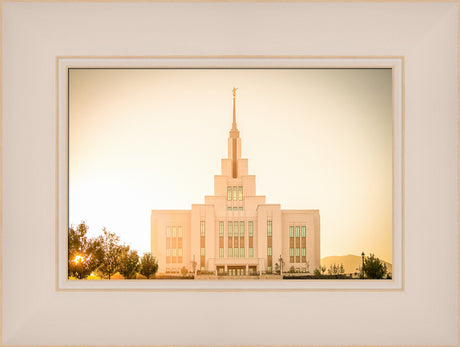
(35, 309)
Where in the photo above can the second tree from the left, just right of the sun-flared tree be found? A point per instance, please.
(112, 252)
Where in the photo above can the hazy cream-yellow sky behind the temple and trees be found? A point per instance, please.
(143, 139)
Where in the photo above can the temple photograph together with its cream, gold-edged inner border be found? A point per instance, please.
(235, 233)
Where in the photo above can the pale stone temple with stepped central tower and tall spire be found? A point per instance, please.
(235, 231)
